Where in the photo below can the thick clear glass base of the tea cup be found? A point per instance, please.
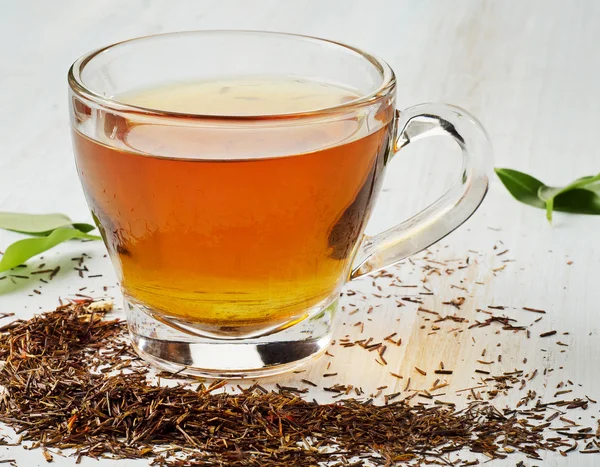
(176, 351)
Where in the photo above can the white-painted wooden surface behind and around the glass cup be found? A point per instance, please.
(530, 70)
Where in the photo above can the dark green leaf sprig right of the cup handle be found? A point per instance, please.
(579, 197)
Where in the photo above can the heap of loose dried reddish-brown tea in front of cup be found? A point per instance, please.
(71, 381)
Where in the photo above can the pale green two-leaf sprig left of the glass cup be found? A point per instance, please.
(47, 230)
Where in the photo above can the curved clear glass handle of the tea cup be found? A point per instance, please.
(449, 211)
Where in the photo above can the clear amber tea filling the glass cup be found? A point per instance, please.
(233, 228)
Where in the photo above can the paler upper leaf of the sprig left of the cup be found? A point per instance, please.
(39, 224)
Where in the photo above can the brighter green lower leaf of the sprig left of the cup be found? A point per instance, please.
(20, 251)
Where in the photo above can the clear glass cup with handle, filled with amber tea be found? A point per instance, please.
(232, 173)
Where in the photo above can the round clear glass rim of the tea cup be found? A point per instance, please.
(388, 82)
